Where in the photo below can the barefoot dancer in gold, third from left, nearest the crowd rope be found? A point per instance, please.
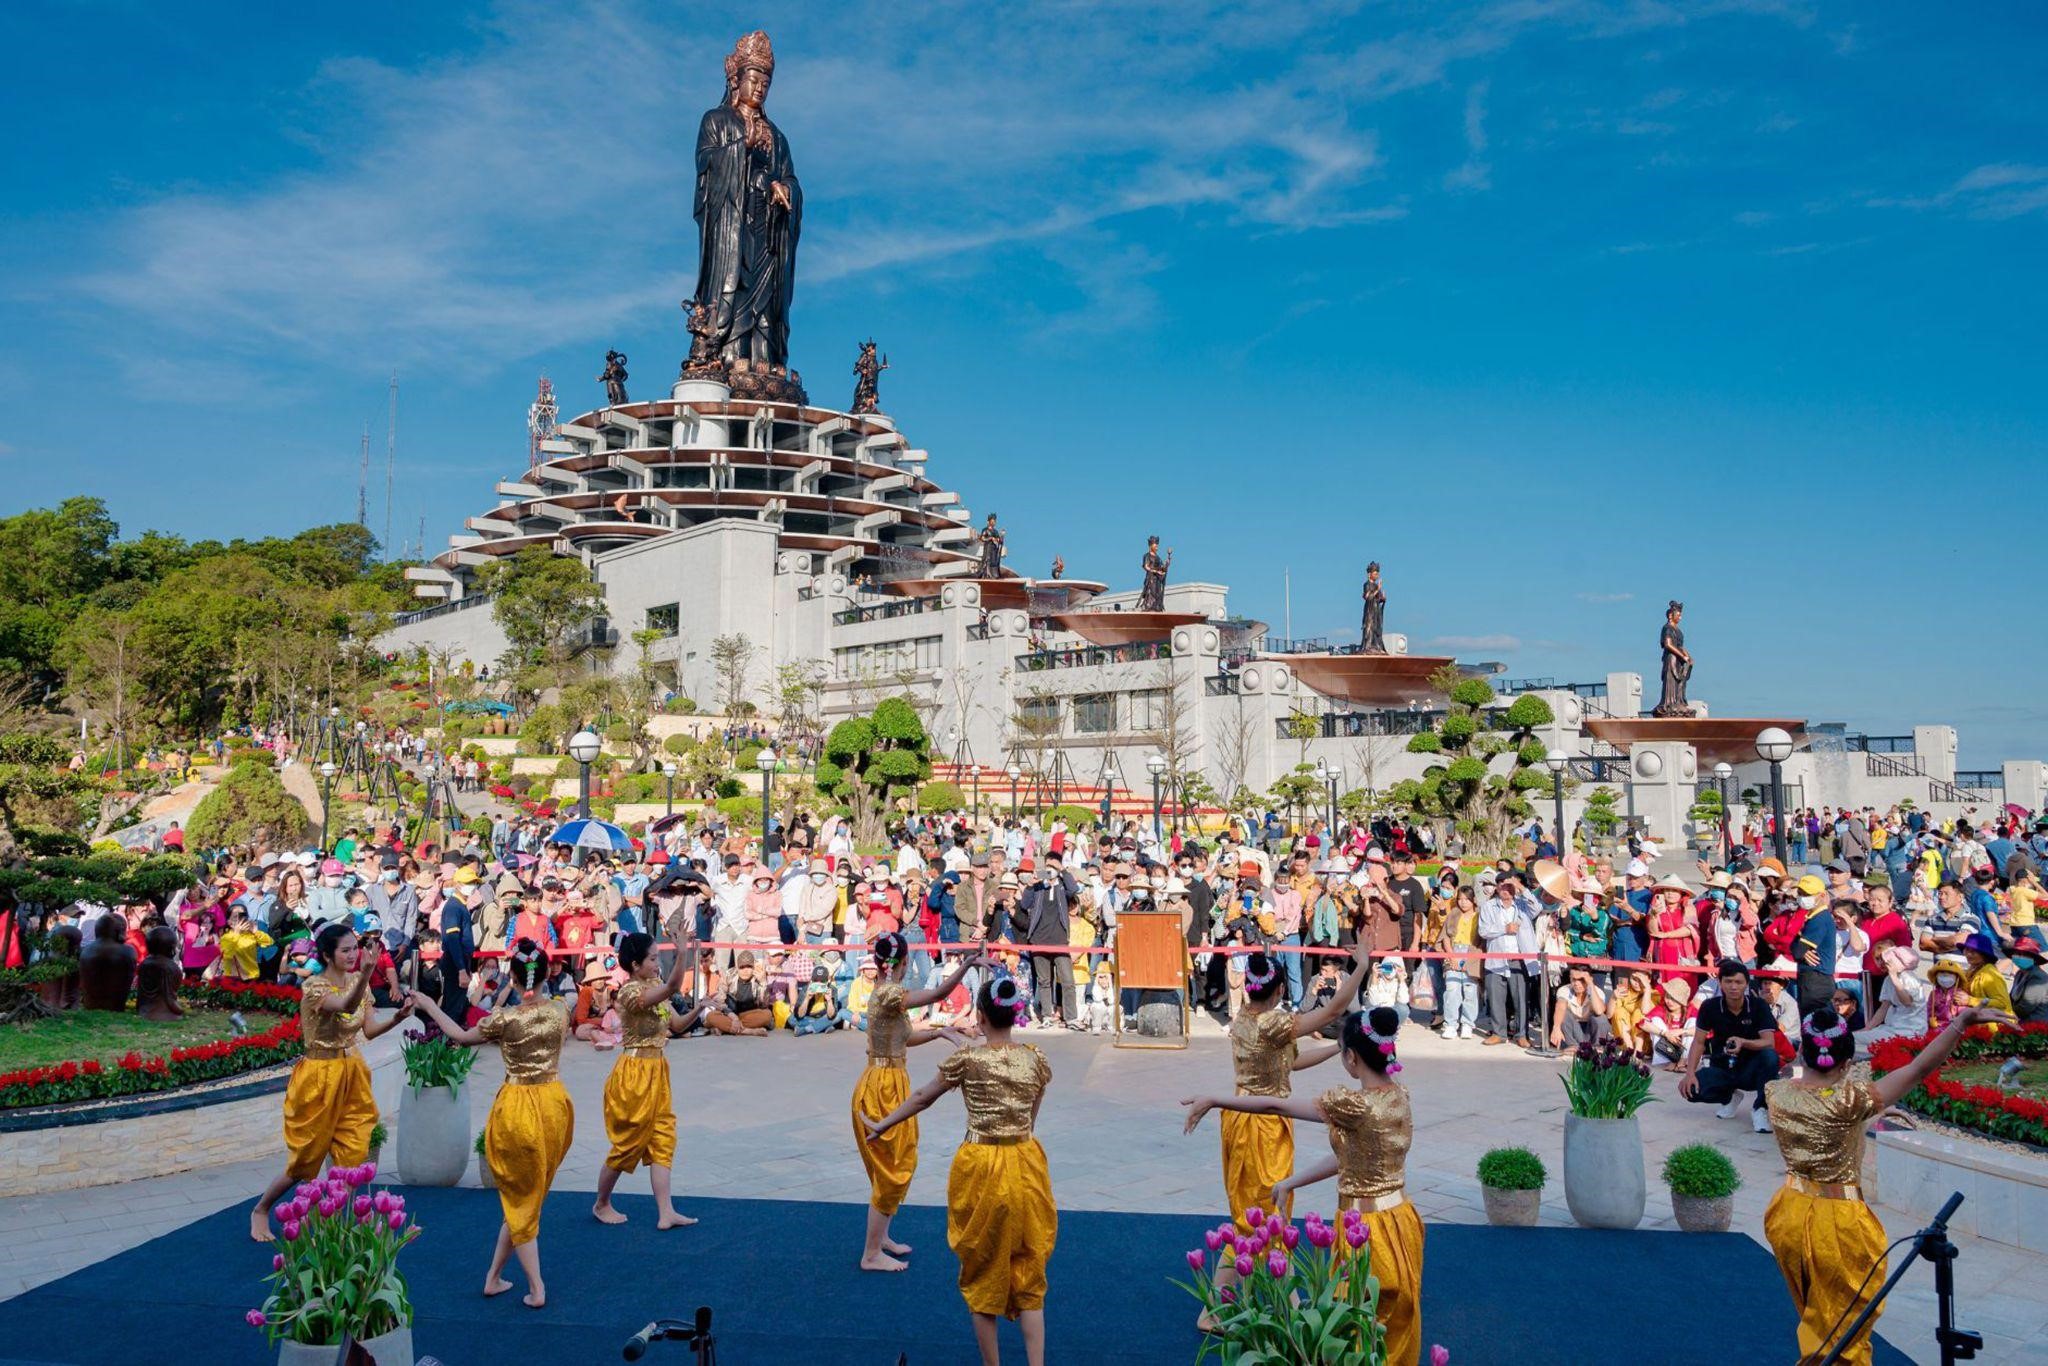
(640, 1115)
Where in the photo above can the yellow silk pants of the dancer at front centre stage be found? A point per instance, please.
(1002, 1224)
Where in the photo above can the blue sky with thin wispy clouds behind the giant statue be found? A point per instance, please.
(1553, 308)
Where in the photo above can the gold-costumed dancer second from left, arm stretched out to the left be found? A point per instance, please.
(531, 1119)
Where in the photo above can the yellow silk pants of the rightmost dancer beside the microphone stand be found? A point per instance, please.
(1826, 1248)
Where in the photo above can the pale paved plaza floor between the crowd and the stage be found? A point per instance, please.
(769, 1119)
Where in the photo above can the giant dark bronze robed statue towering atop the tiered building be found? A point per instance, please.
(749, 210)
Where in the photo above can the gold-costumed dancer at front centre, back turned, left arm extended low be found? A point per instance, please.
(1000, 1215)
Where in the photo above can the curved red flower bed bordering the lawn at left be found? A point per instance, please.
(167, 1072)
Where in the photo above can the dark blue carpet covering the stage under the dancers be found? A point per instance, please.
(785, 1291)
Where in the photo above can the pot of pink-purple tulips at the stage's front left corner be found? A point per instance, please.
(335, 1273)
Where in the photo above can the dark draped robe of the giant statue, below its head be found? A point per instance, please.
(746, 267)
